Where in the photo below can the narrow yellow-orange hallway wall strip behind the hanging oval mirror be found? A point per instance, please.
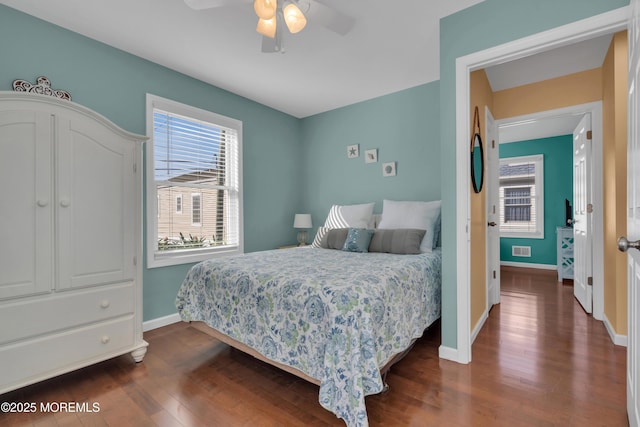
(481, 96)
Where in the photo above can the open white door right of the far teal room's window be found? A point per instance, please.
(582, 208)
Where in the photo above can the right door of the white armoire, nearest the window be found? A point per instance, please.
(95, 178)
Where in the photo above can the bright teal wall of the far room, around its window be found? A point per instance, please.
(558, 185)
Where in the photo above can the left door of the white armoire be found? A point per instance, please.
(25, 207)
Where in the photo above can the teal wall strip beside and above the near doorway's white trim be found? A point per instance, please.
(485, 25)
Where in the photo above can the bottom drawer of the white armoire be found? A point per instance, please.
(33, 360)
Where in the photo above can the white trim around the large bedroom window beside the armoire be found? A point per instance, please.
(195, 255)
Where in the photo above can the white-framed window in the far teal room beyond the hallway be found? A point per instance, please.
(521, 197)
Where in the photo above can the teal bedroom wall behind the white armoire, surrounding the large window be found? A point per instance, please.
(114, 83)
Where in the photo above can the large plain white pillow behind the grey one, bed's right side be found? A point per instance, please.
(420, 215)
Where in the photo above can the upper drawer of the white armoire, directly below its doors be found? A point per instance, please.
(62, 310)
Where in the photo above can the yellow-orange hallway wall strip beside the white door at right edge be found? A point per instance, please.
(614, 129)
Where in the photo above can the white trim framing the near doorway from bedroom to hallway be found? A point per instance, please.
(606, 23)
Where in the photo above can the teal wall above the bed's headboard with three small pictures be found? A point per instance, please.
(403, 126)
